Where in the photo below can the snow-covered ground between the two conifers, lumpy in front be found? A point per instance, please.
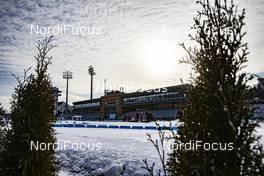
(110, 152)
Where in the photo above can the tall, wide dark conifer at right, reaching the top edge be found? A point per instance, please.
(217, 109)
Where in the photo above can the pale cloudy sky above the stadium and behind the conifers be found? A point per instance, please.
(131, 43)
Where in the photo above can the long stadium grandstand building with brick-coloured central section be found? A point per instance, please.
(161, 103)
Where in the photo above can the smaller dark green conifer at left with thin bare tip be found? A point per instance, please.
(32, 117)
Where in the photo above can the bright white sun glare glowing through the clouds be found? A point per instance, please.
(160, 57)
